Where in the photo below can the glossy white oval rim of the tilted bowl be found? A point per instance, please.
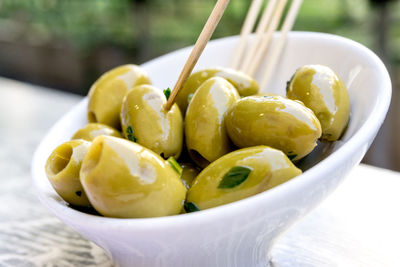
(363, 134)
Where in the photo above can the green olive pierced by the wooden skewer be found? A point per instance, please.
(151, 124)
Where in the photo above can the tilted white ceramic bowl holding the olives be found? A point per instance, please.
(240, 233)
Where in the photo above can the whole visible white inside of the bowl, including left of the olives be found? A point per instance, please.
(360, 69)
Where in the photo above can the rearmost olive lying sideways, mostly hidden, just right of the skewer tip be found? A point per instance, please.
(244, 84)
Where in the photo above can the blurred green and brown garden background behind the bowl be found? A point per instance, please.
(68, 44)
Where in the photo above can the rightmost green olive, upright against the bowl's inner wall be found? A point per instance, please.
(322, 90)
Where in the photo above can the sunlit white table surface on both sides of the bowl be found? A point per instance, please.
(358, 225)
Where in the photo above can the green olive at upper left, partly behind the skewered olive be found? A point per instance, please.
(106, 94)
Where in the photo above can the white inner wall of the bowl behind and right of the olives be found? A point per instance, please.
(355, 64)
